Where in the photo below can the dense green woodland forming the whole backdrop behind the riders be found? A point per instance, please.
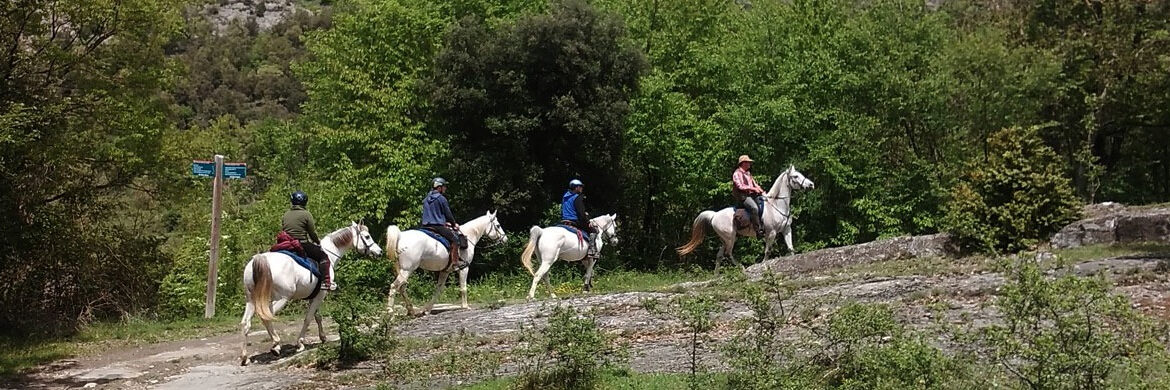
(886, 105)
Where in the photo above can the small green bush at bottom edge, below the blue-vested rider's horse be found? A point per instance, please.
(569, 354)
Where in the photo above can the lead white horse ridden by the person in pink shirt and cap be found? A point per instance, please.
(777, 220)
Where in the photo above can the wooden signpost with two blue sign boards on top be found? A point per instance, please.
(210, 169)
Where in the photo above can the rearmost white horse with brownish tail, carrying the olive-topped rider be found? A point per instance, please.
(271, 280)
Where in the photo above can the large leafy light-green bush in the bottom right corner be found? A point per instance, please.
(1072, 333)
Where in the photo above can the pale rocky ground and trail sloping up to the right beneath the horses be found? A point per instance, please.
(921, 278)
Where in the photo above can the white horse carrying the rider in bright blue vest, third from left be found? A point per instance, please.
(556, 243)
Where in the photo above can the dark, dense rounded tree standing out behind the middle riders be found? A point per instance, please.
(531, 105)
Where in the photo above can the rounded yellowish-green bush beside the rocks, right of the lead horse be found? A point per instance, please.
(1015, 199)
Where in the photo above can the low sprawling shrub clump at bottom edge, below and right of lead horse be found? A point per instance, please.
(858, 347)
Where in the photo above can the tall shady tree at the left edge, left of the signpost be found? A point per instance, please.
(80, 124)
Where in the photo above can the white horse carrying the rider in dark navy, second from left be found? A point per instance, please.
(414, 250)
